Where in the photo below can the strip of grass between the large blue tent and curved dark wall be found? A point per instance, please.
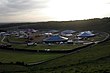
(43, 47)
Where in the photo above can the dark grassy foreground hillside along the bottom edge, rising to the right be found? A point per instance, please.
(93, 59)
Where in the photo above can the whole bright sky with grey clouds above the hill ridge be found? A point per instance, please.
(52, 10)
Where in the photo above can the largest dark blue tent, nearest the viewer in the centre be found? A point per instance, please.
(55, 38)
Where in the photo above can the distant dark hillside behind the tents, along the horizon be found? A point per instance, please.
(90, 24)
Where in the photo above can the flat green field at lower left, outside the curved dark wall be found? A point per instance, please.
(12, 56)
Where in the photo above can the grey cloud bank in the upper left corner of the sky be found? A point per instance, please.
(11, 7)
